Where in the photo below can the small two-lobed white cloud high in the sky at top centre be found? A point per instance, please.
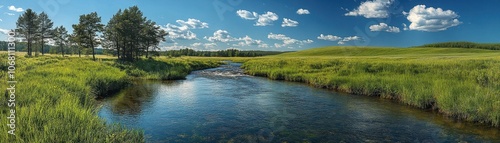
(261, 20)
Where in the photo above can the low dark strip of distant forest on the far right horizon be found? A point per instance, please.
(469, 45)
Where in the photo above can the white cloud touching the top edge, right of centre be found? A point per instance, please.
(372, 9)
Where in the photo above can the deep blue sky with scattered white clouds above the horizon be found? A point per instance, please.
(288, 24)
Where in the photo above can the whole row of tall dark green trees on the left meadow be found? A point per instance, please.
(127, 35)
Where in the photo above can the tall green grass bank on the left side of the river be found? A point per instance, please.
(56, 96)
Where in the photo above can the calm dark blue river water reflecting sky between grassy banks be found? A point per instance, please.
(224, 105)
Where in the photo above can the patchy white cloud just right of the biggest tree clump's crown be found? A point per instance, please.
(182, 31)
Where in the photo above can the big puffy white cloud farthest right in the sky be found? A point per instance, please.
(431, 19)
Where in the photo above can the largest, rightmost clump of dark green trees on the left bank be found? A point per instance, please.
(130, 35)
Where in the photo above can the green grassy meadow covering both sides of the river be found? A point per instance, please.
(56, 95)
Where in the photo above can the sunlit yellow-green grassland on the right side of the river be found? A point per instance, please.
(463, 83)
